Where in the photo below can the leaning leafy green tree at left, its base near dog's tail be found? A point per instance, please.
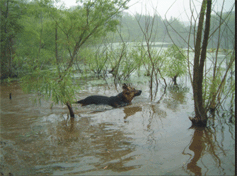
(51, 71)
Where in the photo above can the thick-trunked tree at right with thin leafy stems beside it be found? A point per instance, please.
(210, 86)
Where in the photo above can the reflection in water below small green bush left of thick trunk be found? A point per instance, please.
(175, 96)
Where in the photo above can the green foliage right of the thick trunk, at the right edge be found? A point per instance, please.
(219, 82)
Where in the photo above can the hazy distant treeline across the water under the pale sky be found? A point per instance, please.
(174, 30)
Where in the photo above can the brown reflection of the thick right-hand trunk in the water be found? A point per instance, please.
(205, 142)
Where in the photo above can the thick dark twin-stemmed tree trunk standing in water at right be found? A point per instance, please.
(200, 118)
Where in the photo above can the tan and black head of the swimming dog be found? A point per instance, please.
(129, 93)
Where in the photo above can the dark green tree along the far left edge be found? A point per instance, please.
(10, 26)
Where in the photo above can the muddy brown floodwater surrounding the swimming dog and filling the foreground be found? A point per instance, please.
(145, 138)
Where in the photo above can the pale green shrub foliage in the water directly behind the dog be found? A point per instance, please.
(121, 61)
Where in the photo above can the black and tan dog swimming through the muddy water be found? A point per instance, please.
(122, 99)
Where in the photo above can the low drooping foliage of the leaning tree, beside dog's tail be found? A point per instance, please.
(49, 86)
